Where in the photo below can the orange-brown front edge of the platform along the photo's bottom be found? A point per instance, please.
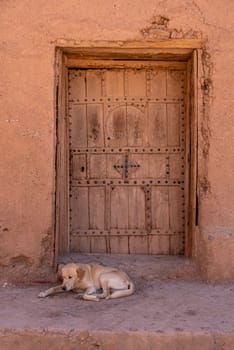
(83, 340)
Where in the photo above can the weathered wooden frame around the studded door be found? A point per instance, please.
(113, 54)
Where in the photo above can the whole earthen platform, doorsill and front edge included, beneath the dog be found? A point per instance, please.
(171, 310)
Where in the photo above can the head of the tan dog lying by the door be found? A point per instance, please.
(70, 274)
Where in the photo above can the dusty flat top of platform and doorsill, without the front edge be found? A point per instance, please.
(169, 298)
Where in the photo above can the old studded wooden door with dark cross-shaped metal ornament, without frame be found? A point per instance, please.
(127, 147)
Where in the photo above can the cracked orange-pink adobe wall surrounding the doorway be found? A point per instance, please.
(29, 31)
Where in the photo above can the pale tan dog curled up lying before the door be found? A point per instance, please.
(97, 282)
